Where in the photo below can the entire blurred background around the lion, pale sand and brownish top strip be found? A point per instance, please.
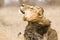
(11, 22)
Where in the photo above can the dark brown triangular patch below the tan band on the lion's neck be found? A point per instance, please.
(40, 29)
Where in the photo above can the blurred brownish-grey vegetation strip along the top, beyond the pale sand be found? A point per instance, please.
(31, 2)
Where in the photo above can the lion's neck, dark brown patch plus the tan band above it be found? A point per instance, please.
(41, 27)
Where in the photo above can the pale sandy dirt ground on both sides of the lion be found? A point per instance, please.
(11, 22)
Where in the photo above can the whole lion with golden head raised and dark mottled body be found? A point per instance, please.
(38, 27)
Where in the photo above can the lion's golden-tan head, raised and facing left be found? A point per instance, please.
(31, 13)
